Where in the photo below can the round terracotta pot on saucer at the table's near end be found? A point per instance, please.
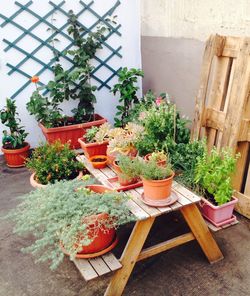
(157, 189)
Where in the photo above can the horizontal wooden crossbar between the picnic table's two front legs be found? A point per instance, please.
(167, 245)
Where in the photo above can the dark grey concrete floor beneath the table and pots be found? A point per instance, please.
(181, 271)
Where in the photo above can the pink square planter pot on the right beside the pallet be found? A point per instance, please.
(218, 215)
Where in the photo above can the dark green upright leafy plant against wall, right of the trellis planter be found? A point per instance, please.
(127, 94)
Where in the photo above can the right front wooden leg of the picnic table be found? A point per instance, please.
(201, 232)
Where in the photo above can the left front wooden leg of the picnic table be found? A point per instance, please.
(129, 257)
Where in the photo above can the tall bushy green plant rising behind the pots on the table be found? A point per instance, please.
(164, 127)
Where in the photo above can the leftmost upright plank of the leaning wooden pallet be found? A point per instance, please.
(214, 46)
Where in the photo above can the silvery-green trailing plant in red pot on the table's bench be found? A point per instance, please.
(73, 219)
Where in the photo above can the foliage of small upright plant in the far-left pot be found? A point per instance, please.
(15, 138)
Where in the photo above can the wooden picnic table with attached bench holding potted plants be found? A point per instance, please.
(145, 217)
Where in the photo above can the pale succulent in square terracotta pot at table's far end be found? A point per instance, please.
(98, 134)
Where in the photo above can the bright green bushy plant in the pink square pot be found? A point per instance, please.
(213, 174)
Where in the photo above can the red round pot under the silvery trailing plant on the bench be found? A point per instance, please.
(103, 236)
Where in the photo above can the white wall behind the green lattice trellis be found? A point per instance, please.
(128, 16)
